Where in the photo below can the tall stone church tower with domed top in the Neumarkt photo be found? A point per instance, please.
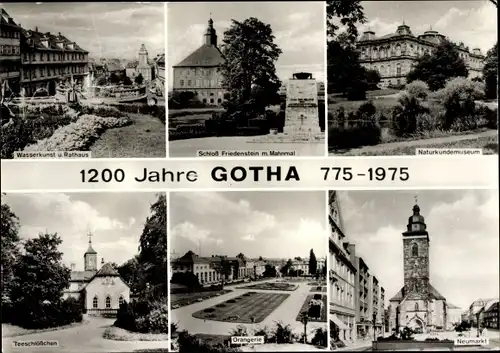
(416, 254)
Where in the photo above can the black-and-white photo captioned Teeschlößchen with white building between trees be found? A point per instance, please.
(84, 272)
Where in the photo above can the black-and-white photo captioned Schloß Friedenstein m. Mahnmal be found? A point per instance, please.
(246, 79)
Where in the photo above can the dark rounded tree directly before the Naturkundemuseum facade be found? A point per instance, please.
(435, 69)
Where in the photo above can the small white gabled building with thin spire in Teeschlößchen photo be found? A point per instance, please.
(102, 290)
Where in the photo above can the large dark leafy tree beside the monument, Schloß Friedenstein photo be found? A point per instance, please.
(249, 55)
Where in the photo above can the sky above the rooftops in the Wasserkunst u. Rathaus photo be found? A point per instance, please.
(112, 30)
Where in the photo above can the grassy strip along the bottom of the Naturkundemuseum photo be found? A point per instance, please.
(489, 145)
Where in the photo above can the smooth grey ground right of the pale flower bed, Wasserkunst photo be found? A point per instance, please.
(145, 138)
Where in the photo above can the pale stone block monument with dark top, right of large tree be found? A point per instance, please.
(301, 113)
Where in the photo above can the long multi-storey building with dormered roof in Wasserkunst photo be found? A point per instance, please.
(49, 60)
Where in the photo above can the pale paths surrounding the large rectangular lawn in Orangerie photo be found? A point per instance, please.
(286, 312)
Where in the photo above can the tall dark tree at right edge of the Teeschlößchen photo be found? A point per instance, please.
(152, 260)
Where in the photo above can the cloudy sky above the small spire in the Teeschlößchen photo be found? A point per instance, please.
(116, 221)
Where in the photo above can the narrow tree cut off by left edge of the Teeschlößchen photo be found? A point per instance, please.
(10, 241)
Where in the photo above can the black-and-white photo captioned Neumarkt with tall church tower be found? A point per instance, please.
(414, 270)
